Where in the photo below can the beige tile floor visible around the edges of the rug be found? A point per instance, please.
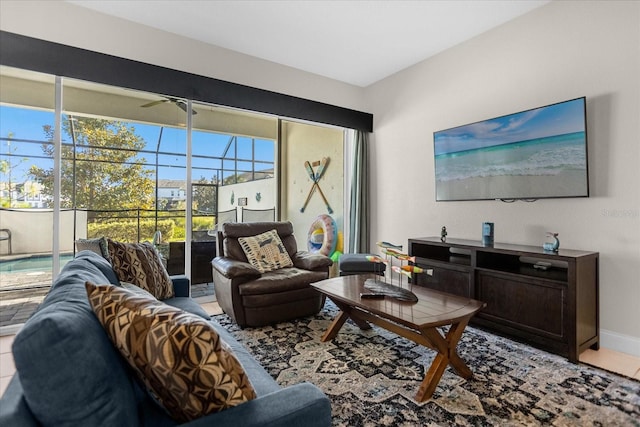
(610, 360)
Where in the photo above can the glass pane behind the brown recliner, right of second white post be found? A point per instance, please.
(223, 148)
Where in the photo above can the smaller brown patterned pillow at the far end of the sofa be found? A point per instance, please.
(140, 264)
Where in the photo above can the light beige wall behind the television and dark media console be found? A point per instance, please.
(560, 51)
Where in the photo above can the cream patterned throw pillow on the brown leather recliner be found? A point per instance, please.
(266, 251)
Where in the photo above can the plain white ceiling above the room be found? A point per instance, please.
(357, 42)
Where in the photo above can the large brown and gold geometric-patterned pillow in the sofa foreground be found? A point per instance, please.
(178, 355)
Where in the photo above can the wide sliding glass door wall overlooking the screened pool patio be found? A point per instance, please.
(136, 166)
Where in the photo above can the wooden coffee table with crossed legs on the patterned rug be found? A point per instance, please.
(415, 321)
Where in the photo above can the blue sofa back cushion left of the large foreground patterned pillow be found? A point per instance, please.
(70, 372)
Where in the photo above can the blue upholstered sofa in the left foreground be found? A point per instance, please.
(69, 373)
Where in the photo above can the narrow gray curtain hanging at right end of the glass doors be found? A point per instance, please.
(359, 215)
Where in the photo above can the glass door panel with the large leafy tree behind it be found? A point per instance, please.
(124, 164)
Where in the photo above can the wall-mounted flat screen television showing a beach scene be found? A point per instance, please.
(533, 154)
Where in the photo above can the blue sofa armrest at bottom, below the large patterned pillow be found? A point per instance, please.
(298, 405)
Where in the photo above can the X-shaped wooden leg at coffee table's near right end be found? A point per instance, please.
(447, 355)
